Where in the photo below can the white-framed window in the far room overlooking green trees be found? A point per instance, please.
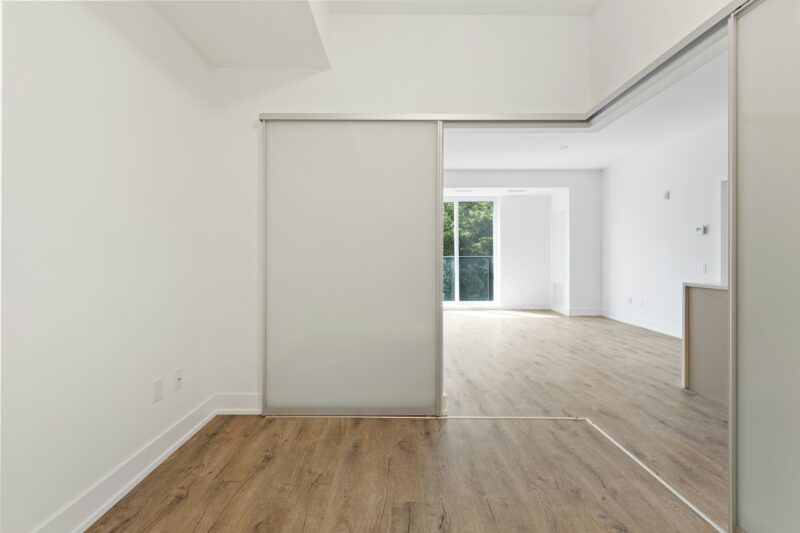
(468, 276)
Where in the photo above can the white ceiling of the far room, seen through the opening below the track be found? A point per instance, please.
(698, 99)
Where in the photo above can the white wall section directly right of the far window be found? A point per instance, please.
(524, 252)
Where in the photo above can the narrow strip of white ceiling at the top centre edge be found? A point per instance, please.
(463, 7)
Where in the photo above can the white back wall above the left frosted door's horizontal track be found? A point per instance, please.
(415, 64)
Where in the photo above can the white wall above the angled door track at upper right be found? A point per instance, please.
(628, 35)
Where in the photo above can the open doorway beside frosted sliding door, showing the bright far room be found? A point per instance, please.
(610, 269)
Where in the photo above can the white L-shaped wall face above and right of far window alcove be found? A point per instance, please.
(584, 254)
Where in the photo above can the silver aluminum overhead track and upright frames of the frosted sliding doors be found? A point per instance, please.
(726, 16)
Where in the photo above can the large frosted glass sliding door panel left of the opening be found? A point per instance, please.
(353, 266)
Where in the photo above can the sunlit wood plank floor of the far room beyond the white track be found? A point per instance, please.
(623, 378)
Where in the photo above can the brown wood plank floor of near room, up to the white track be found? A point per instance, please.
(254, 474)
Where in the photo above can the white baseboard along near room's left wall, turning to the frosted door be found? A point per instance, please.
(92, 503)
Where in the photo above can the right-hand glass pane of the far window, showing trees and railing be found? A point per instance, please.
(476, 251)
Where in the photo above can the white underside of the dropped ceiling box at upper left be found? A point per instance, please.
(250, 33)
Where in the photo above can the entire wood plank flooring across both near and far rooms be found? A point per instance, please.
(255, 474)
